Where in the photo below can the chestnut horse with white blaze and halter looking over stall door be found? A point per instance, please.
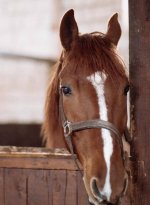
(86, 107)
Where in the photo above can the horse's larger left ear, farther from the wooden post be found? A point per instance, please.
(68, 29)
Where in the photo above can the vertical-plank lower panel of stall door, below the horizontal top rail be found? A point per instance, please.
(41, 187)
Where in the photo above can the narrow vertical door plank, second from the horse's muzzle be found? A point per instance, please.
(71, 188)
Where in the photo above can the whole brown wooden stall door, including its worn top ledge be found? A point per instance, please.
(38, 176)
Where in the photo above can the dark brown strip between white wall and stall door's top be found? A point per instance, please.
(24, 135)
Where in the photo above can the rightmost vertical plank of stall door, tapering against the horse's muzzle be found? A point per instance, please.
(82, 195)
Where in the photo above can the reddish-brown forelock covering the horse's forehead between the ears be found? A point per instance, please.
(94, 52)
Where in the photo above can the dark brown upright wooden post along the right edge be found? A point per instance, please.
(139, 47)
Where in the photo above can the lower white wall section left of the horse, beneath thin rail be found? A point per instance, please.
(23, 84)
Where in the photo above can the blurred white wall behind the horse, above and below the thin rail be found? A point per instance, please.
(30, 27)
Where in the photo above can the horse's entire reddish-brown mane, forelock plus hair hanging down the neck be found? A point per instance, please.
(89, 52)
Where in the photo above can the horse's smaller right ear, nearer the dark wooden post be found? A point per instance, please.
(114, 29)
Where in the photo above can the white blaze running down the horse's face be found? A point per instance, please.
(98, 80)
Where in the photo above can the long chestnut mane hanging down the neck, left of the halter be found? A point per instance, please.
(51, 120)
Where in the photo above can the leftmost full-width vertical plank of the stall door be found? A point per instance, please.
(15, 187)
